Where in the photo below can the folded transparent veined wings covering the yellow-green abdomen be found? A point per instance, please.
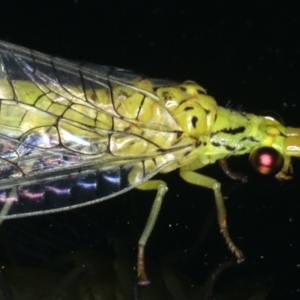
(70, 133)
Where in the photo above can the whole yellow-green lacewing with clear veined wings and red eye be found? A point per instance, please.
(75, 134)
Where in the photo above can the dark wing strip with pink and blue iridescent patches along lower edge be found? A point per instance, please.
(51, 195)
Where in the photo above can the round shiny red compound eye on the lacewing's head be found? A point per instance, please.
(266, 161)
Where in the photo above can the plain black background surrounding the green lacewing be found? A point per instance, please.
(248, 55)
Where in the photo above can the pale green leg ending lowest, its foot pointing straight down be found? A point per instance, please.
(161, 188)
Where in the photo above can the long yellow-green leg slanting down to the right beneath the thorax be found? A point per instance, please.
(205, 181)
